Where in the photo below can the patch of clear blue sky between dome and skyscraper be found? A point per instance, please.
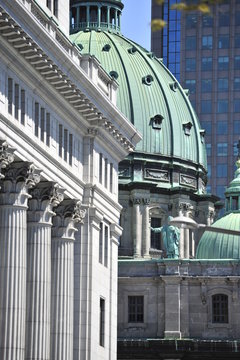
(136, 19)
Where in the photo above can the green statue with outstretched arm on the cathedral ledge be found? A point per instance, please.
(171, 236)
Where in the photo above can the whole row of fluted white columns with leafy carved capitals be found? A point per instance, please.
(37, 227)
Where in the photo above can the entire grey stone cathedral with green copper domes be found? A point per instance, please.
(168, 308)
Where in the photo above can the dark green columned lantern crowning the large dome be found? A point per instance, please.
(95, 15)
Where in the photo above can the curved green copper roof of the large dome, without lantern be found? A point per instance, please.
(146, 89)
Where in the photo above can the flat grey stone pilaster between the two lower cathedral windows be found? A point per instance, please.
(172, 307)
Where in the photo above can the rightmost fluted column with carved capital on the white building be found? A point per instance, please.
(67, 215)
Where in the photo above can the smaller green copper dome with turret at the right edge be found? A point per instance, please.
(222, 239)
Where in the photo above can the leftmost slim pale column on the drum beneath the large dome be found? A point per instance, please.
(136, 227)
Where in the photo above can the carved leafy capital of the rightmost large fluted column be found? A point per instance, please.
(68, 214)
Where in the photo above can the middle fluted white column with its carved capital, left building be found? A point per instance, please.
(44, 197)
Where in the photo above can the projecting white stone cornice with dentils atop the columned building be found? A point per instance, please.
(63, 82)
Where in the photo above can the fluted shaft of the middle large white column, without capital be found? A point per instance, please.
(38, 292)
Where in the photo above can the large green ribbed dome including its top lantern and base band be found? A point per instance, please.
(149, 95)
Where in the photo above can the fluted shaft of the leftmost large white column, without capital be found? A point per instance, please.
(13, 282)
